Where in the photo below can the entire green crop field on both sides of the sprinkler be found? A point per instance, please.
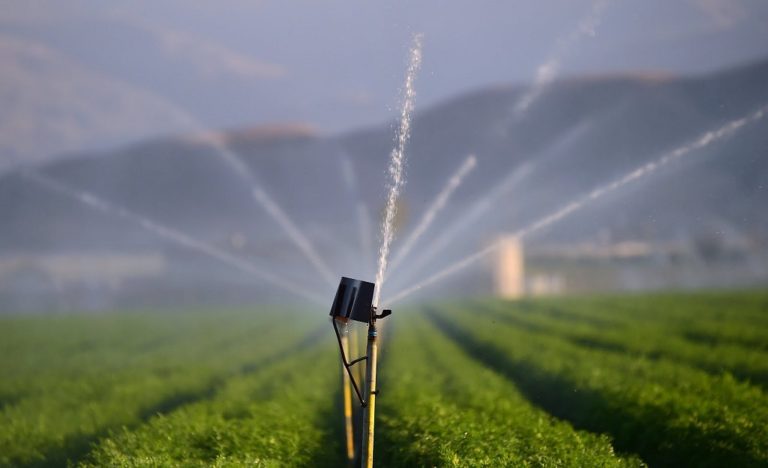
(657, 380)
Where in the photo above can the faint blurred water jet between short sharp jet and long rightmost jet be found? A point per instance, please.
(476, 211)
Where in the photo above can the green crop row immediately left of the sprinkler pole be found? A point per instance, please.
(283, 415)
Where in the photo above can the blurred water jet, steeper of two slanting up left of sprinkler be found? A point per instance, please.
(216, 142)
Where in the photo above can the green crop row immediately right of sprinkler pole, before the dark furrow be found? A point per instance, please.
(440, 408)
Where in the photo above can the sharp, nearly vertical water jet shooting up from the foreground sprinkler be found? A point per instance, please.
(397, 164)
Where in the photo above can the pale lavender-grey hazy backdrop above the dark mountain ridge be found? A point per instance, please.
(85, 74)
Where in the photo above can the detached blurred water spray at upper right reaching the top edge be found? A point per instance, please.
(547, 71)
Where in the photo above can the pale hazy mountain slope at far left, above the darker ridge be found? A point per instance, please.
(51, 105)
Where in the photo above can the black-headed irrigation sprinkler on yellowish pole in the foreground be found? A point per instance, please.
(354, 301)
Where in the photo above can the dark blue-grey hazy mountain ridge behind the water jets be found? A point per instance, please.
(583, 132)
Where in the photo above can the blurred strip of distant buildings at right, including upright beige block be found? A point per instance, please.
(630, 265)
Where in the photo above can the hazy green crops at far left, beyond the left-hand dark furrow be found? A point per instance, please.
(67, 381)
